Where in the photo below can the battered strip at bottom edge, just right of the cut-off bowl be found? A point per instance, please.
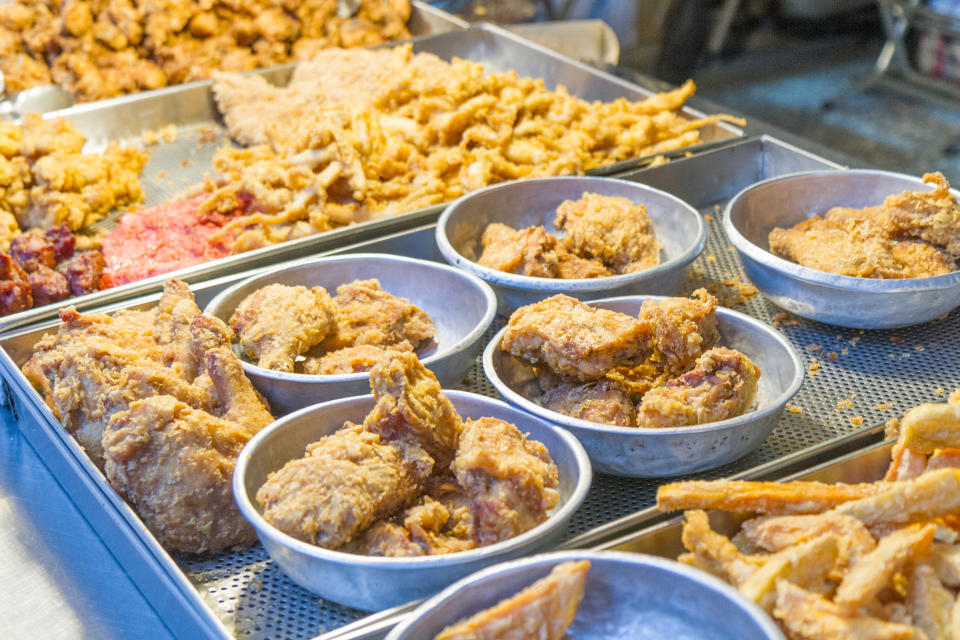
(810, 617)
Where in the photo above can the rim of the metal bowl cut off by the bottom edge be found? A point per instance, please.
(758, 616)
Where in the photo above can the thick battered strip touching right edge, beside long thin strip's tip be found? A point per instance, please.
(932, 495)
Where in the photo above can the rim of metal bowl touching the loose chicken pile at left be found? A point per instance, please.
(475, 334)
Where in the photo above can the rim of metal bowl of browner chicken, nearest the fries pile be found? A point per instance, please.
(577, 423)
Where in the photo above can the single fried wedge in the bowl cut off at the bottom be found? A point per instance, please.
(544, 610)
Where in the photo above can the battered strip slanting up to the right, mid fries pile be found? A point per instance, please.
(875, 570)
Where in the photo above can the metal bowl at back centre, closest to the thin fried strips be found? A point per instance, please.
(678, 226)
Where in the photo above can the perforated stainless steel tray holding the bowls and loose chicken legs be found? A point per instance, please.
(244, 594)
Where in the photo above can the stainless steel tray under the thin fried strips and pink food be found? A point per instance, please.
(174, 166)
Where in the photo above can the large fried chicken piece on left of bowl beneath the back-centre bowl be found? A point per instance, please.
(574, 339)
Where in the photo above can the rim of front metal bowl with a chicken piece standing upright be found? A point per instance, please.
(563, 513)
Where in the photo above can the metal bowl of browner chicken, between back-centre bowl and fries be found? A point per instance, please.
(648, 453)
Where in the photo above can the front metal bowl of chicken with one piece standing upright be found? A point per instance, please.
(373, 583)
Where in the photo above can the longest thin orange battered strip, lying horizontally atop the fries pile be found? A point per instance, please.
(762, 497)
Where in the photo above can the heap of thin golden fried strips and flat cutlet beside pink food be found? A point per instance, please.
(376, 133)
